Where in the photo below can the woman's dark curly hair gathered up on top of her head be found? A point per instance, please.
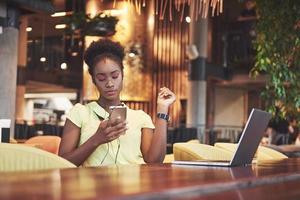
(101, 49)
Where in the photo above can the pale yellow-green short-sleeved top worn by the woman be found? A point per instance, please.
(86, 118)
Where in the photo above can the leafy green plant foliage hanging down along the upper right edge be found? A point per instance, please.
(278, 55)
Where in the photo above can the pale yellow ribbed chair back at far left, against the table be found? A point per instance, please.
(17, 157)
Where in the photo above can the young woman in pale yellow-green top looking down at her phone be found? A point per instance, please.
(90, 138)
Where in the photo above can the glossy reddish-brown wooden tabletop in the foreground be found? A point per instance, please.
(154, 181)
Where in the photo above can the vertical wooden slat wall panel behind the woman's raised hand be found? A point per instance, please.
(169, 63)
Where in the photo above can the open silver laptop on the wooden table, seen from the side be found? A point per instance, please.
(248, 143)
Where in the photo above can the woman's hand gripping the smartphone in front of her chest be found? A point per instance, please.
(110, 130)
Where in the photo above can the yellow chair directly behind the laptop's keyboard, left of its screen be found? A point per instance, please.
(196, 151)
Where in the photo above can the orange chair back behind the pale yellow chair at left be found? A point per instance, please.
(48, 143)
